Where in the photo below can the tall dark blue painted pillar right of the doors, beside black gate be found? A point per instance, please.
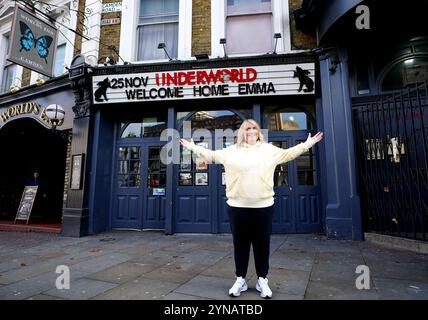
(343, 214)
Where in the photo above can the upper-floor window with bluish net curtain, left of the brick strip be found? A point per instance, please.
(158, 23)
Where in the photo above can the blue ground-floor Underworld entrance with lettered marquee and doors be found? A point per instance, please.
(142, 179)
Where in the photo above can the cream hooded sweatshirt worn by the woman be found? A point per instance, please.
(249, 170)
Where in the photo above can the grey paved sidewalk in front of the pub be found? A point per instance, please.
(151, 265)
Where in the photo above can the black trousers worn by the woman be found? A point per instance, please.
(251, 226)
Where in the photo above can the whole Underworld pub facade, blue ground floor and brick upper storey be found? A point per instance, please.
(163, 70)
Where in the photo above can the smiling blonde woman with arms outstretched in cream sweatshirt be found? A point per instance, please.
(249, 168)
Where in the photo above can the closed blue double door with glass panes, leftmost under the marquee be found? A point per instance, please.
(139, 198)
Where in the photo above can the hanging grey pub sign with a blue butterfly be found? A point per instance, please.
(33, 42)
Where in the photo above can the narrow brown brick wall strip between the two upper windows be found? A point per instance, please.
(201, 27)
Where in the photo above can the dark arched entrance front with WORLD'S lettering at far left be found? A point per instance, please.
(30, 145)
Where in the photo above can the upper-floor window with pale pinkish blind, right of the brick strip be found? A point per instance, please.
(249, 26)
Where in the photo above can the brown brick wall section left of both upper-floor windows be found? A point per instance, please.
(109, 35)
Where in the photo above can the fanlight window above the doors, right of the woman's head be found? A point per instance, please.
(289, 119)
